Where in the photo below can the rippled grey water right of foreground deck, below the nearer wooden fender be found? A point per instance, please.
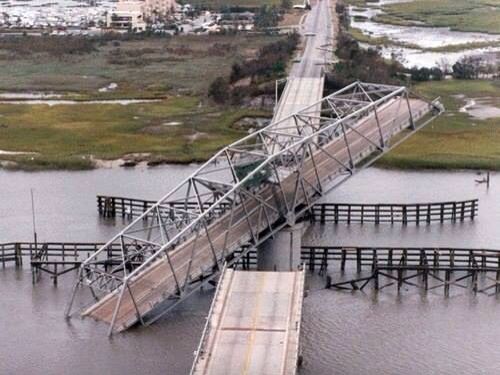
(369, 333)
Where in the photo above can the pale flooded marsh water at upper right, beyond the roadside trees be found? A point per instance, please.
(416, 42)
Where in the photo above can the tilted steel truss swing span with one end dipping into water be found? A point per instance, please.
(243, 195)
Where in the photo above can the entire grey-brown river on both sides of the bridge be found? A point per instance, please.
(343, 333)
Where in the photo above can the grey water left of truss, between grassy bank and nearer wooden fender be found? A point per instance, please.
(65, 202)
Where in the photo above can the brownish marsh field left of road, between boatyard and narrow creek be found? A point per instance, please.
(142, 68)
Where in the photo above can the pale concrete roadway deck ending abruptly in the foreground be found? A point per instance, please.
(254, 325)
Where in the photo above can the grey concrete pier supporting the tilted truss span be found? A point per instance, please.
(281, 253)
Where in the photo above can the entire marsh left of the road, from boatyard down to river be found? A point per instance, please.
(177, 70)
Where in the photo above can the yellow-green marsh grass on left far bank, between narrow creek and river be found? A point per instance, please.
(65, 136)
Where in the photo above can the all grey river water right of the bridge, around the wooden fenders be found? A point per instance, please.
(410, 333)
